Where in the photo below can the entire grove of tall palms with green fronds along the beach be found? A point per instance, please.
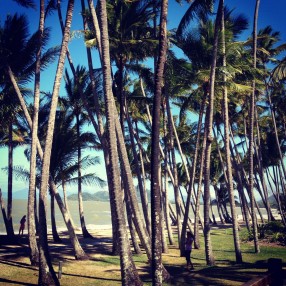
(236, 143)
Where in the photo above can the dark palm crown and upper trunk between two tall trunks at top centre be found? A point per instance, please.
(131, 39)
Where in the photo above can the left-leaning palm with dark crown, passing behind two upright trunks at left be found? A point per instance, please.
(22, 60)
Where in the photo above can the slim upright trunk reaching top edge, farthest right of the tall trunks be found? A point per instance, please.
(251, 135)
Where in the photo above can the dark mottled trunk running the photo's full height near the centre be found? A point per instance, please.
(155, 183)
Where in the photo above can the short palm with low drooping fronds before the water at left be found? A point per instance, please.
(65, 161)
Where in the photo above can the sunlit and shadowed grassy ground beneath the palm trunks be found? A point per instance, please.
(104, 269)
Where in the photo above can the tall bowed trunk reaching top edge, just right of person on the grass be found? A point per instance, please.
(208, 247)
